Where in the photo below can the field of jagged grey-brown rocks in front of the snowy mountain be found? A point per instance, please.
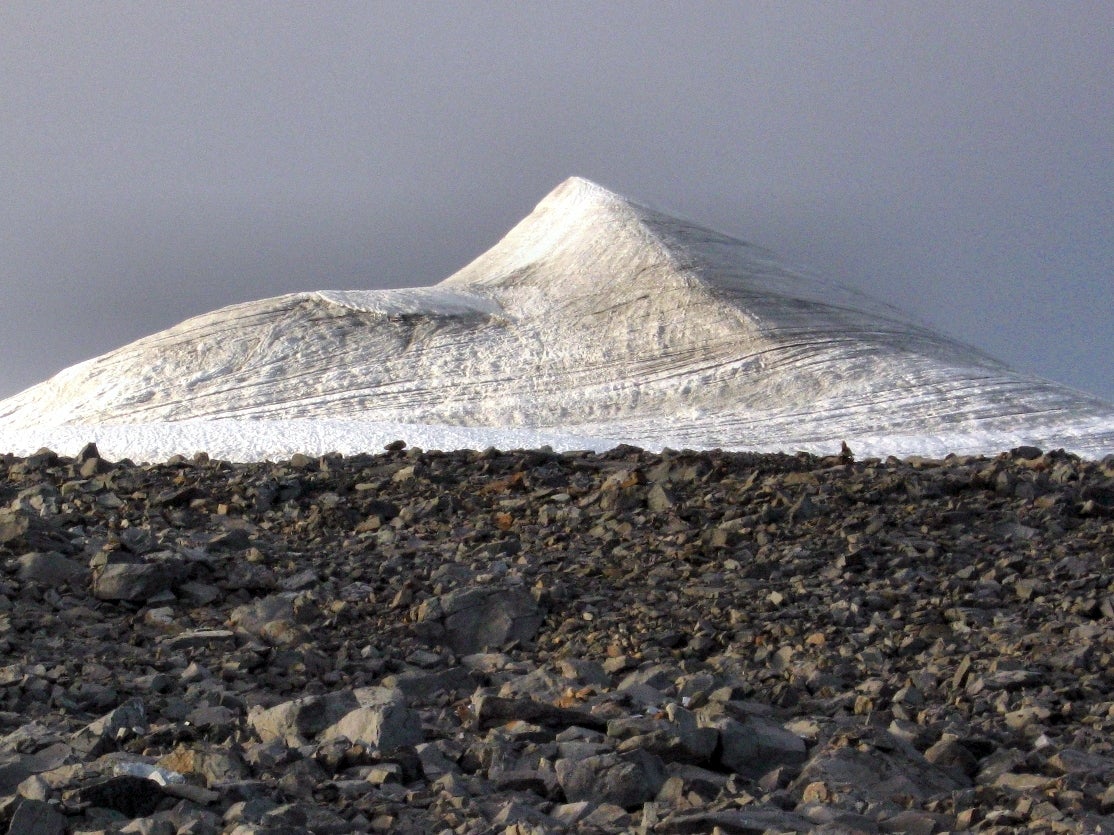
(531, 643)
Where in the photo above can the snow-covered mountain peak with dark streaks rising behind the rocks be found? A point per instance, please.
(594, 318)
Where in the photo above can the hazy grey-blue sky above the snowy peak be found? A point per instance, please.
(159, 161)
